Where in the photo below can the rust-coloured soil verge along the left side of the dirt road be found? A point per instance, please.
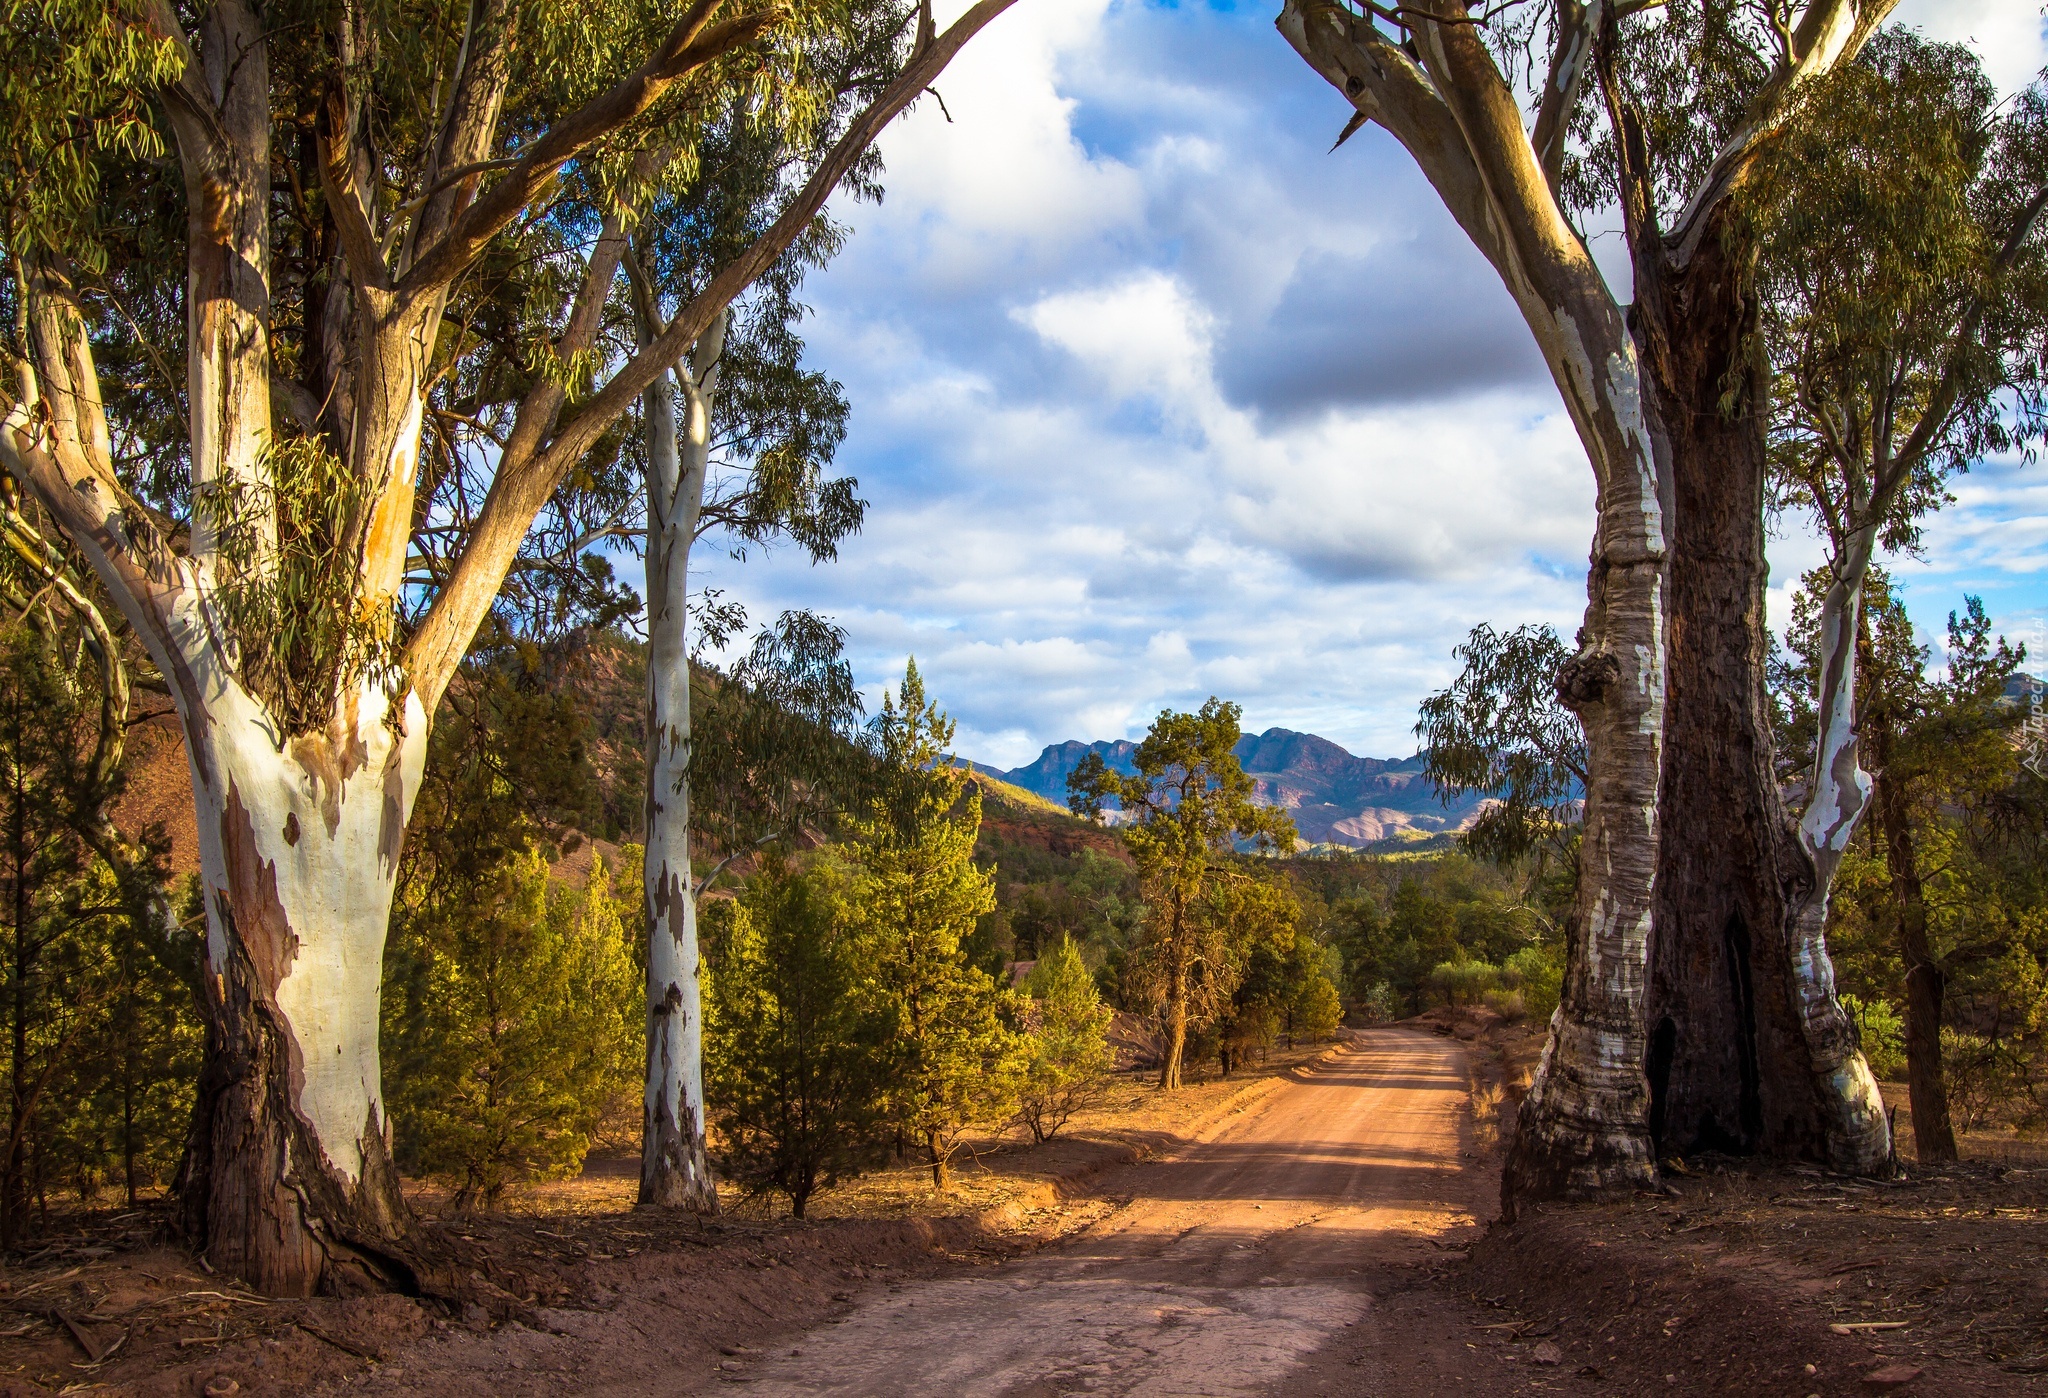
(617, 1301)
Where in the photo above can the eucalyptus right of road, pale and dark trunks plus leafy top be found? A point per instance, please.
(1668, 679)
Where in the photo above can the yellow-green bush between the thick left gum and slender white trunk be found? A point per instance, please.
(511, 1004)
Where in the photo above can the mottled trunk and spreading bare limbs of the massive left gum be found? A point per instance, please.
(275, 625)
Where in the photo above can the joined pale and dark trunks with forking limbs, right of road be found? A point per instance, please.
(1646, 414)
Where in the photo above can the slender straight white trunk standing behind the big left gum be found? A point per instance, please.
(675, 1166)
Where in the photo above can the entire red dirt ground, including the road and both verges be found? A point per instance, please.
(1314, 1229)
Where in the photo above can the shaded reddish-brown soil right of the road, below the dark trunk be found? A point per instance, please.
(1732, 1282)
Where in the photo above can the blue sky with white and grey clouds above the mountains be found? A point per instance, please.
(1156, 398)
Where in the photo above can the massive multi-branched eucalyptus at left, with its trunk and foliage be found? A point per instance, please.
(366, 206)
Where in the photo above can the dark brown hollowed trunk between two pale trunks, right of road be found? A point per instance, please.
(1748, 1045)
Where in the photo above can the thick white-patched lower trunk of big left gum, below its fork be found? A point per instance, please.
(288, 1180)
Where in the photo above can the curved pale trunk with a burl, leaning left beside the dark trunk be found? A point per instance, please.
(1584, 1125)
